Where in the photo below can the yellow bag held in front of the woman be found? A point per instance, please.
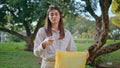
(66, 59)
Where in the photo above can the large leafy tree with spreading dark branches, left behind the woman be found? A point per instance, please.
(19, 16)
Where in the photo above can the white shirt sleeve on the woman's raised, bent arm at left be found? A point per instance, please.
(38, 49)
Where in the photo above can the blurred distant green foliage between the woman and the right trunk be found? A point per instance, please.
(79, 25)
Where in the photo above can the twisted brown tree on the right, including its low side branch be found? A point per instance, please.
(101, 29)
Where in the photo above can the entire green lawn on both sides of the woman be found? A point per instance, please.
(12, 54)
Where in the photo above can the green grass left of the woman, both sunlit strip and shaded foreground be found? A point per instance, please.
(12, 55)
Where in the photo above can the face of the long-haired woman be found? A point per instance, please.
(54, 16)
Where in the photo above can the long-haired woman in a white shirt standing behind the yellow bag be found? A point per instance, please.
(52, 37)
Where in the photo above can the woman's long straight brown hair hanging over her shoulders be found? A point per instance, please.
(48, 26)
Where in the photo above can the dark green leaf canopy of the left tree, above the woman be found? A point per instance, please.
(20, 11)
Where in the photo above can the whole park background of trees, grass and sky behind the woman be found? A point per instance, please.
(21, 19)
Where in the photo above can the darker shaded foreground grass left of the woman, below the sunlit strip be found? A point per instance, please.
(18, 59)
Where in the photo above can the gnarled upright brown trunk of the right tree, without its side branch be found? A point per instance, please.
(101, 31)
